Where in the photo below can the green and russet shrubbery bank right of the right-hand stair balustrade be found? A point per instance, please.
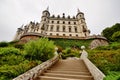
(107, 59)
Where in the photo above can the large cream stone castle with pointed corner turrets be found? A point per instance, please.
(55, 27)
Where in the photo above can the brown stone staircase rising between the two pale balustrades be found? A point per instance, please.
(69, 69)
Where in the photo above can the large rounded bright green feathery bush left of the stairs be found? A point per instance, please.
(41, 49)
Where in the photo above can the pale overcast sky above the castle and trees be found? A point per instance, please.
(99, 14)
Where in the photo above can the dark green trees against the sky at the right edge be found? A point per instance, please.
(109, 32)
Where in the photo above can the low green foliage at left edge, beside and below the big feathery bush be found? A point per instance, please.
(13, 63)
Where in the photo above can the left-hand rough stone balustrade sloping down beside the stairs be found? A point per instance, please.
(33, 73)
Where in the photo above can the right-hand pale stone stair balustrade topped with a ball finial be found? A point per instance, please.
(96, 73)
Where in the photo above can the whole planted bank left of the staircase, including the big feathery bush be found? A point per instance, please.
(16, 59)
